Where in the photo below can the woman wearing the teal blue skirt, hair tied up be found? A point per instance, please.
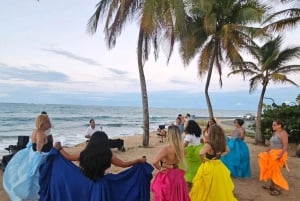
(238, 159)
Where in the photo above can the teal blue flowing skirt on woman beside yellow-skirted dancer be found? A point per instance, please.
(238, 158)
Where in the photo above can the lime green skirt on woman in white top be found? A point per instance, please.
(193, 161)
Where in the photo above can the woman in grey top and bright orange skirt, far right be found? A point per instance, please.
(274, 159)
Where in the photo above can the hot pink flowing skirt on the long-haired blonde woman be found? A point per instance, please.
(170, 185)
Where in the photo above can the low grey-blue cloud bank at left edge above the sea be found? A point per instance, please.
(34, 73)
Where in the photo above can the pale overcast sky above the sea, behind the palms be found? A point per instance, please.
(46, 56)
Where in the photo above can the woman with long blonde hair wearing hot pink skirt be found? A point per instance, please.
(169, 183)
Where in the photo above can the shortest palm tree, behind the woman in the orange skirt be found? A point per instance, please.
(271, 66)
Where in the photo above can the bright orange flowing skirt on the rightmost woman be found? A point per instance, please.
(270, 167)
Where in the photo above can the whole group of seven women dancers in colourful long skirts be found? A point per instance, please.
(191, 166)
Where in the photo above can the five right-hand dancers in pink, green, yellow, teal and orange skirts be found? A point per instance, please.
(211, 160)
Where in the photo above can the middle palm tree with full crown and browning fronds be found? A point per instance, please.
(217, 31)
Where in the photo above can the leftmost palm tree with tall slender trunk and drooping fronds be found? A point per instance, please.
(159, 21)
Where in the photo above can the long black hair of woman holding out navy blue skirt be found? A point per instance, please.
(96, 157)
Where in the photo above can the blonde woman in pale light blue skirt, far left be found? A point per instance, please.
(21, 175)
